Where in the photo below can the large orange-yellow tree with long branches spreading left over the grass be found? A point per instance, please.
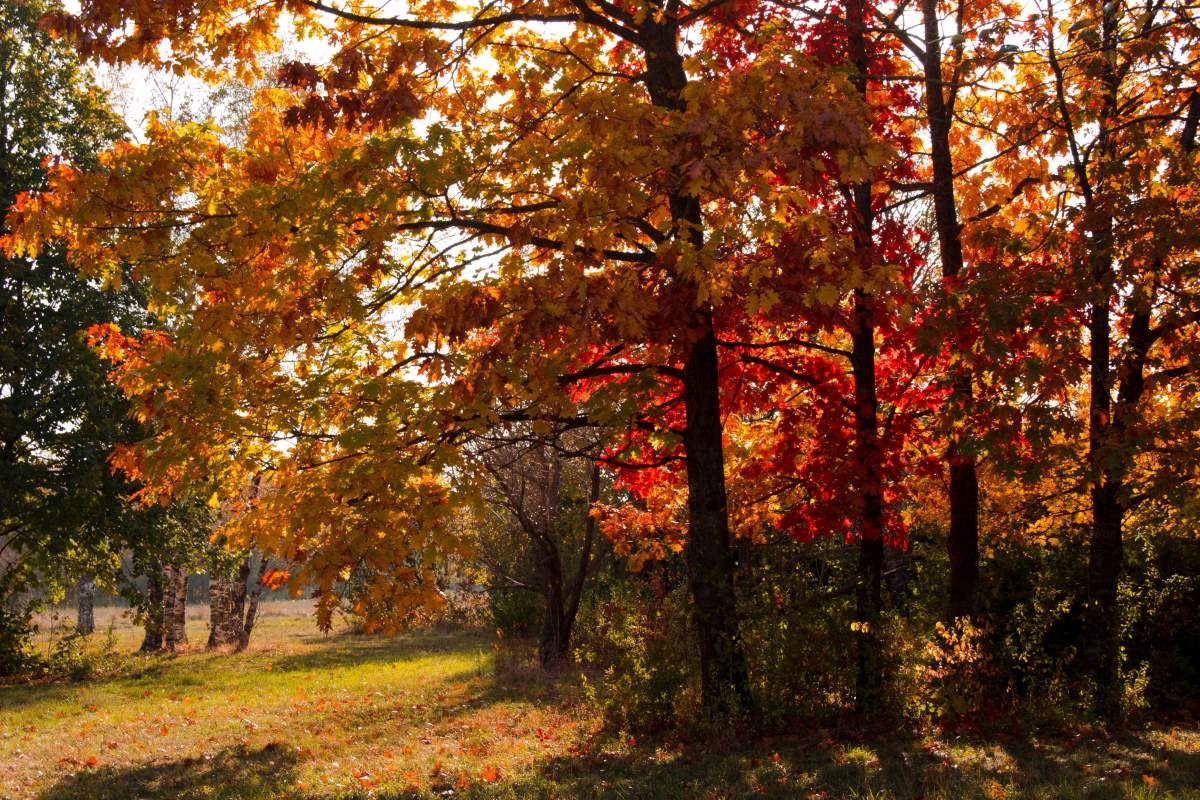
(533, 246)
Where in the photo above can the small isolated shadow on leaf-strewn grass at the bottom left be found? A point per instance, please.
(231, 774)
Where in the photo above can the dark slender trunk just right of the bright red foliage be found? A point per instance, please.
(963, 542)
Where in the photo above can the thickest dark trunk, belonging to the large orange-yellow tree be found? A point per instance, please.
(709, 550)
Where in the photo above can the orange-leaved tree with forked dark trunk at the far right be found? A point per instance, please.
(1099, 145)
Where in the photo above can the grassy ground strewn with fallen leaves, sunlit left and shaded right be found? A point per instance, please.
(304, 717)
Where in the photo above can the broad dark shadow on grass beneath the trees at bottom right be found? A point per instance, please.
(892, 769)
